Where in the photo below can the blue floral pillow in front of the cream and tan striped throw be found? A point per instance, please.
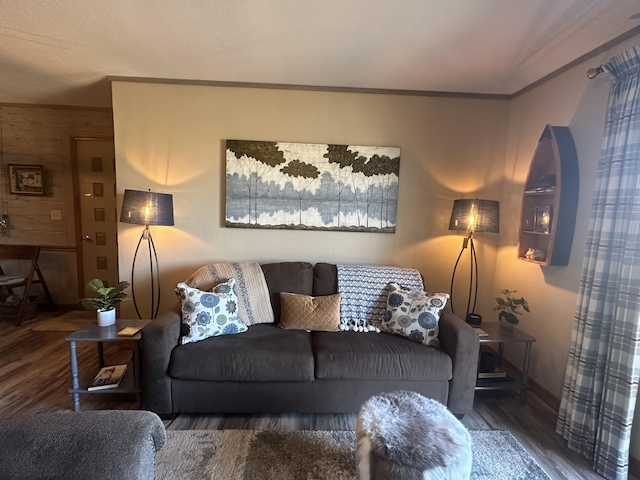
(209, 314)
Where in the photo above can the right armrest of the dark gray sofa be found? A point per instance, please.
(460, 341)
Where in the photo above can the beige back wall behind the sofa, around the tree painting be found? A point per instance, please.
(171, 138)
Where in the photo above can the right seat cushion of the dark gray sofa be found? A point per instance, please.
(351, 355)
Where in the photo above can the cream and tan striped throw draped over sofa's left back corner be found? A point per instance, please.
(254, 305)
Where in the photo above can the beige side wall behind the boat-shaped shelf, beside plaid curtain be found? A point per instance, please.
(570, 99)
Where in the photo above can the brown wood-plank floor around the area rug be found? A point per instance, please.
(35, 377)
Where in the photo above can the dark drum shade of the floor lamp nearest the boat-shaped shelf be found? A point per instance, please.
(473, 215)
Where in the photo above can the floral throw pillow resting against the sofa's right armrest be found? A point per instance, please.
(414, 314)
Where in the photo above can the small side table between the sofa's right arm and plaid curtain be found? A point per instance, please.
(498, 335)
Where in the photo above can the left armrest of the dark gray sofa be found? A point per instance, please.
(159, 338)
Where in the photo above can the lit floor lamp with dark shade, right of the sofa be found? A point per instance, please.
(472, 216)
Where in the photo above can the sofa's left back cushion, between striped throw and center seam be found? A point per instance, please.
(292, 277)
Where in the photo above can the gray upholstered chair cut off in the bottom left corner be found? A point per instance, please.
(100, 445)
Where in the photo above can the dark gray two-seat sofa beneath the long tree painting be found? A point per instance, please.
(271, 370)
